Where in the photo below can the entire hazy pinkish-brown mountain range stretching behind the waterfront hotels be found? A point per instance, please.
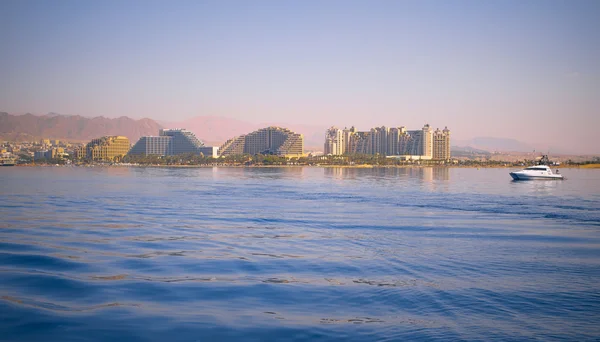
(212, 130)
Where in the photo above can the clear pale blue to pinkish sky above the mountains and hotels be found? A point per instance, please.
(527, 70)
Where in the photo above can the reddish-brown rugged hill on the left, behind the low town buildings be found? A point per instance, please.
(29, 127)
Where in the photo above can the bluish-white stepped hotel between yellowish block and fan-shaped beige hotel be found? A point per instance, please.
(172, 142)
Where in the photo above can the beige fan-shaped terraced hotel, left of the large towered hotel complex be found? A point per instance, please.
(271, 140)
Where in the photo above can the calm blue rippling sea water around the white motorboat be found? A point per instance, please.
(297, 254)
